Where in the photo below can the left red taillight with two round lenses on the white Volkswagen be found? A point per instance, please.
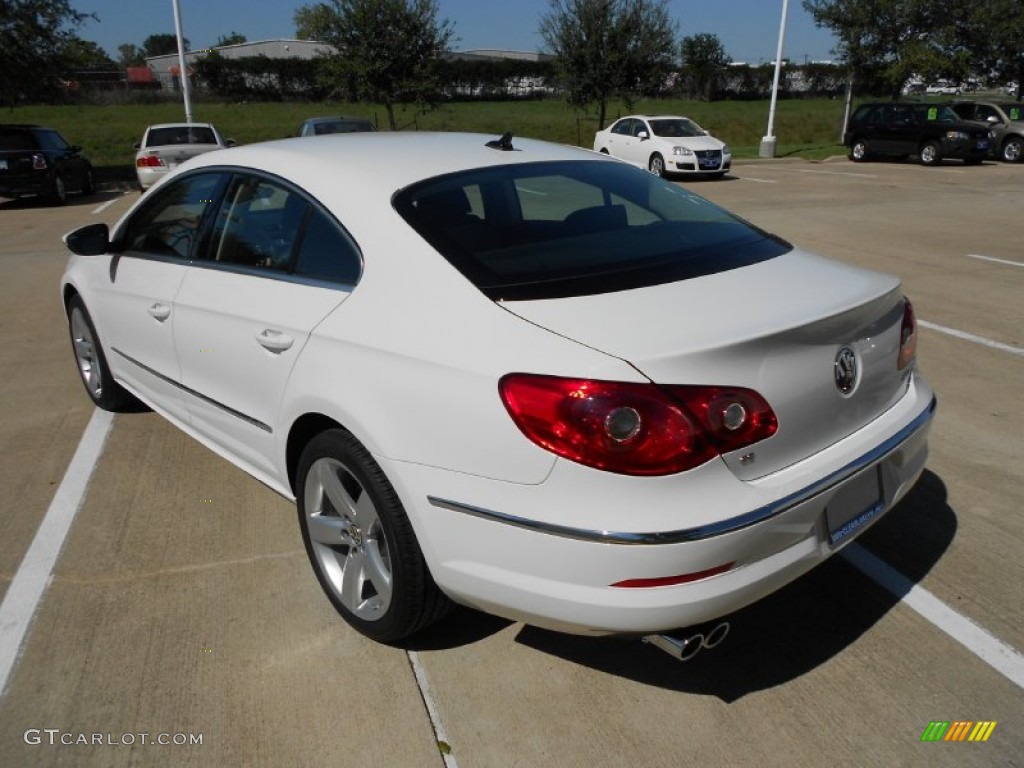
(631, 429)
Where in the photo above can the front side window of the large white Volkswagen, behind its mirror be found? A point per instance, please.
(169, 224)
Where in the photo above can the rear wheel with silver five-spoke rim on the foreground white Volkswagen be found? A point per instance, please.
(361, 542)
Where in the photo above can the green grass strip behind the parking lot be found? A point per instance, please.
(808, 129)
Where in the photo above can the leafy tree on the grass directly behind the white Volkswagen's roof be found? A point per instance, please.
(386, 50)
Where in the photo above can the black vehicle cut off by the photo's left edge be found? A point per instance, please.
(35, 160)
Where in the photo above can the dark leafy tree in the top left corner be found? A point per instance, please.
(35, 37)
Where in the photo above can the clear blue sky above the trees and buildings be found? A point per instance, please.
(748, 29)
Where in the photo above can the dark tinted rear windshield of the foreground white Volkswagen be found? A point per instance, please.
(542, 231)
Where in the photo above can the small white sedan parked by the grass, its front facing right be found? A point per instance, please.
(665, 145)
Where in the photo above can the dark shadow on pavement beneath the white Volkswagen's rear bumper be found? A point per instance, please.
(793, 631)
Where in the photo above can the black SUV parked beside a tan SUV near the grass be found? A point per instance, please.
(931, 132)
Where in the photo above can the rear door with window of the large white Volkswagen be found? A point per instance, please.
(275, 266)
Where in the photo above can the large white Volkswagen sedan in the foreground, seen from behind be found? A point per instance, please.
(507, 374)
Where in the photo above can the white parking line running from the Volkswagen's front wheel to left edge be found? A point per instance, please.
(33, 576)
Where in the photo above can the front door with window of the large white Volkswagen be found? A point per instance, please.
(136, 296)
